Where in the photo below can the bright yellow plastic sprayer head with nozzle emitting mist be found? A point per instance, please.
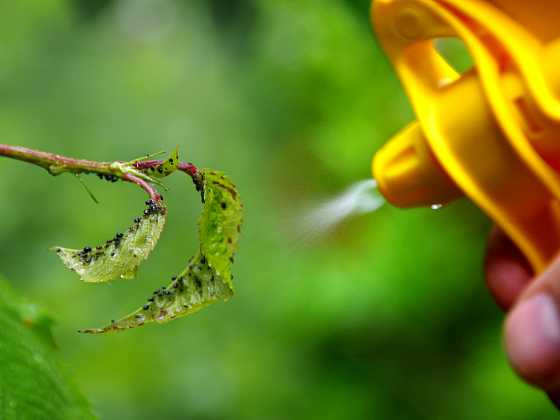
(492, 133)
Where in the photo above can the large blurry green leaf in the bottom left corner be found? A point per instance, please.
(32, 383)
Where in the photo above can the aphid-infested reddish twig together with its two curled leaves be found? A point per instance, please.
(207, 277)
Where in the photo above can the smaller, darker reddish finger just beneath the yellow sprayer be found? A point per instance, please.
(507, 271)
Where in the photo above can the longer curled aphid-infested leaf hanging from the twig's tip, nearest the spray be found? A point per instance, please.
(207, 277)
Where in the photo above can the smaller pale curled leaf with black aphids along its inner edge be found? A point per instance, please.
(118, 257)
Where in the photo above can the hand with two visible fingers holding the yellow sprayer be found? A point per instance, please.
(532, 326)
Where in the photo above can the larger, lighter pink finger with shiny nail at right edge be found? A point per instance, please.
(532, 331)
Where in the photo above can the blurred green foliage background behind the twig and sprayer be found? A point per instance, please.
(385, 318)
